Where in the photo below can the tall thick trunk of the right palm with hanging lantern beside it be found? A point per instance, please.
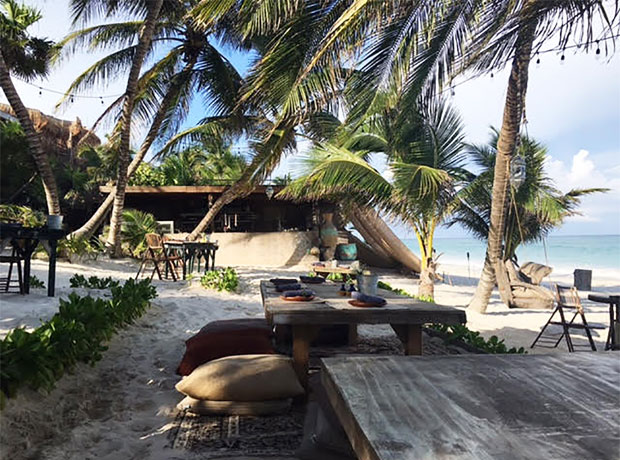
(506, 146)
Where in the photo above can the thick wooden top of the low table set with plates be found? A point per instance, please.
(337, 310)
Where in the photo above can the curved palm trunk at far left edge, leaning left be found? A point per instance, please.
(34, 140)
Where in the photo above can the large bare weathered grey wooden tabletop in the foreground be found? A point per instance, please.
(478, 406)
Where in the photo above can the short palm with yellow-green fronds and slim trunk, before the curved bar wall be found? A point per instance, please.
(425, 158)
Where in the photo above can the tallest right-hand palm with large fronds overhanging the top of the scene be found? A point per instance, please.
(424, 44)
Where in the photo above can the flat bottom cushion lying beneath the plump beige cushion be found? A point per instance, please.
(206, 407)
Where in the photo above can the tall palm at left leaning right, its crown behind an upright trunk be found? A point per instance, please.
(191, 66)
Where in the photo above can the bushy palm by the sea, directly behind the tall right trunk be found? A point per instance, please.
(534, 209)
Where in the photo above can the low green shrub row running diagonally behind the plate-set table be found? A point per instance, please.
(459, 332)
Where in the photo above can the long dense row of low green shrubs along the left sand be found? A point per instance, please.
(75, 334)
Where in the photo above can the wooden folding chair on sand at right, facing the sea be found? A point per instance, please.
(568, 302)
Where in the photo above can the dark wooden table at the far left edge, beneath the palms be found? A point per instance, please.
(25, 240)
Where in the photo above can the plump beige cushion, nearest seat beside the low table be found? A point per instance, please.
(243, 378)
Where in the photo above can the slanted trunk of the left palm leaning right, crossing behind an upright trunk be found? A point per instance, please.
(96, 219)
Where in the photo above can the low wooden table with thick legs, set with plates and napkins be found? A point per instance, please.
(405, 315)
